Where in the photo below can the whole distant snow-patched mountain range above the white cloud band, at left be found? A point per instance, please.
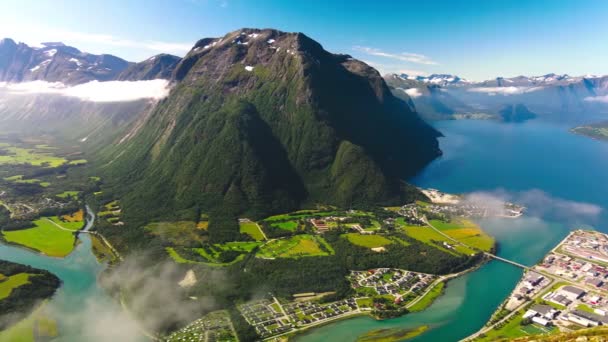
(57, 62)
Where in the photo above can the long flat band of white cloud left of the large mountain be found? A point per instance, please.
(94, 91)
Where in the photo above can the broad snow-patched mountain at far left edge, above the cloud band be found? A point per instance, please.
(55, 62)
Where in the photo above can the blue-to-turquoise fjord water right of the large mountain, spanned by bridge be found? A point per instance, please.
(561, 177)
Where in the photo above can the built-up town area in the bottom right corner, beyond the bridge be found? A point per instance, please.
(567, 290)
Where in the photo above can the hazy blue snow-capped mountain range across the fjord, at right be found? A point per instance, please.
(552, 96)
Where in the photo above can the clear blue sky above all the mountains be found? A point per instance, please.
(474, 39)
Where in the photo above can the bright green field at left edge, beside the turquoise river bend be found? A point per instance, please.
(45, 237)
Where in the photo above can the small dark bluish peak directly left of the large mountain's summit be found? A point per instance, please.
(159, 66)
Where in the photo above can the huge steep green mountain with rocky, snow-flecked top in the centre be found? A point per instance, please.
(262, 121)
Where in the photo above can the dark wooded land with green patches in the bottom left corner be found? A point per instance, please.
(22, 290)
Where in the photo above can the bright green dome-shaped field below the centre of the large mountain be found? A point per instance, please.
(296, 246)
